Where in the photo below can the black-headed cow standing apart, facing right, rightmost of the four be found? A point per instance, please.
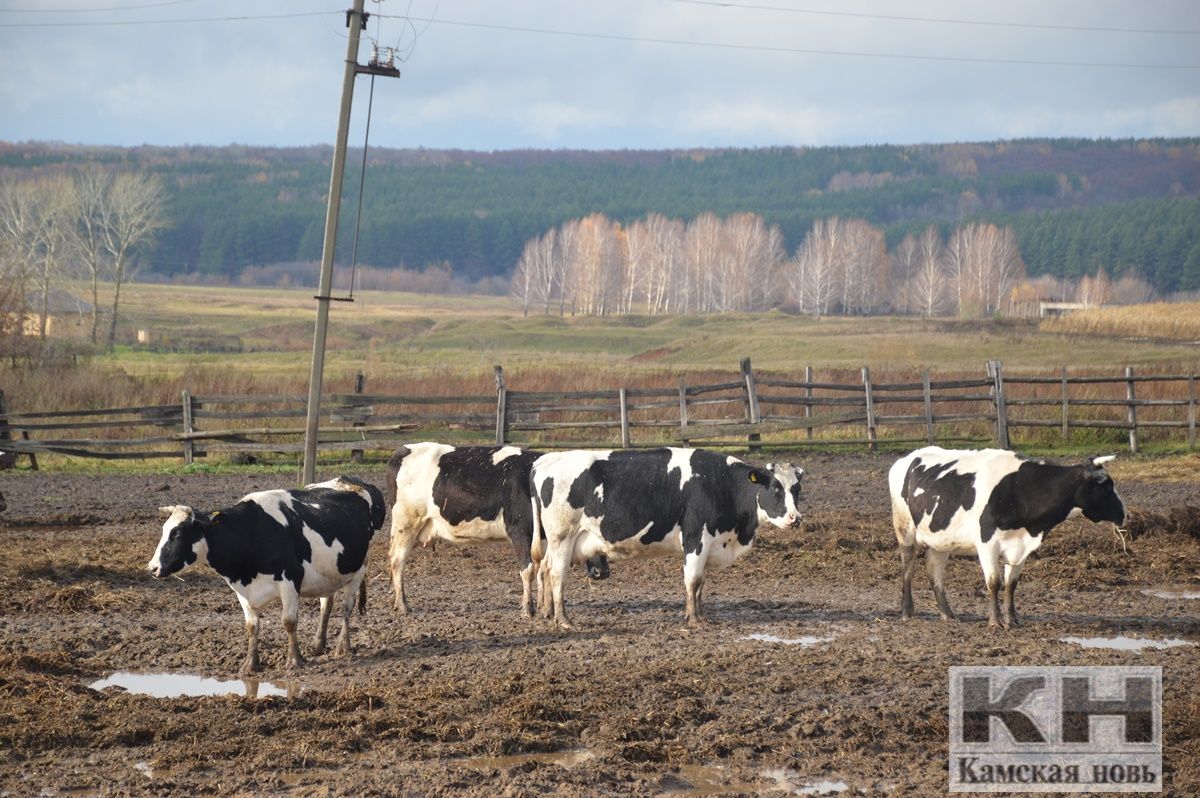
(994, 505)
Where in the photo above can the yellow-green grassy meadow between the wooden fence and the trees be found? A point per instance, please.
(397, 337)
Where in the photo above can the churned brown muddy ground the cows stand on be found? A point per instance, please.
(466, 698)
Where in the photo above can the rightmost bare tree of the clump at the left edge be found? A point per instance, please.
(134, 214)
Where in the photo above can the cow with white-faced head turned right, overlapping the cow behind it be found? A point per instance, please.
(655, 502)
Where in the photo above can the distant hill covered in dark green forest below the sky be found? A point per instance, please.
(1077, 205)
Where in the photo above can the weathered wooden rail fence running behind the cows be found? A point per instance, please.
(753, 411)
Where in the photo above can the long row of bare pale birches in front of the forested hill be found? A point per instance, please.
(598, 267)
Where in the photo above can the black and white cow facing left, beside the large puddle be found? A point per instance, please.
(281, 545)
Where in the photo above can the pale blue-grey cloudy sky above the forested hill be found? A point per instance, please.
(490, 75)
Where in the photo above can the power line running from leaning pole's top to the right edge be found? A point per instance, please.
(797, 51)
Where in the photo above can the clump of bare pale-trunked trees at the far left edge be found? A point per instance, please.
(89, 224)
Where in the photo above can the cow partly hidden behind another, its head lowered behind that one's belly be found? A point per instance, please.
(463, 495)
